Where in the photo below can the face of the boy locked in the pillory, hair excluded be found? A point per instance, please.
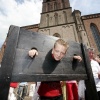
(59, 52)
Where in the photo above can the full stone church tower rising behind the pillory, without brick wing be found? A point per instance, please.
(58, 20)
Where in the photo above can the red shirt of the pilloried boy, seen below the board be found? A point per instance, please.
(50, 89)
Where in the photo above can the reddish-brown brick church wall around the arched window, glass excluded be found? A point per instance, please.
(87, 20)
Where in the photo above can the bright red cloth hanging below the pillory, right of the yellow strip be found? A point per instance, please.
(72, 91)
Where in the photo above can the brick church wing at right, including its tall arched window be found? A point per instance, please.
(92, 27)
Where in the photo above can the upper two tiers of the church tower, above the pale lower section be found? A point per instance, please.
(54, 13)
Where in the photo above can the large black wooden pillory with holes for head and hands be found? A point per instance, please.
(17, 66)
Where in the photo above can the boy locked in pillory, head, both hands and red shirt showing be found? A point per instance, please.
(52, 90)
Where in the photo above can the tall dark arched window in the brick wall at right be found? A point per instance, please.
(96, 34)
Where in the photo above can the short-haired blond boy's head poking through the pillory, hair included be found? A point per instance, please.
(59, 49)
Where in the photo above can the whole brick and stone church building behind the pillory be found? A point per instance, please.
(57, 19)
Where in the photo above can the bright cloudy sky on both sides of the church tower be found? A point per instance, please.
(27, 12)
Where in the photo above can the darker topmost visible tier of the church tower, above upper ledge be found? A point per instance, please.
(52, 5)
